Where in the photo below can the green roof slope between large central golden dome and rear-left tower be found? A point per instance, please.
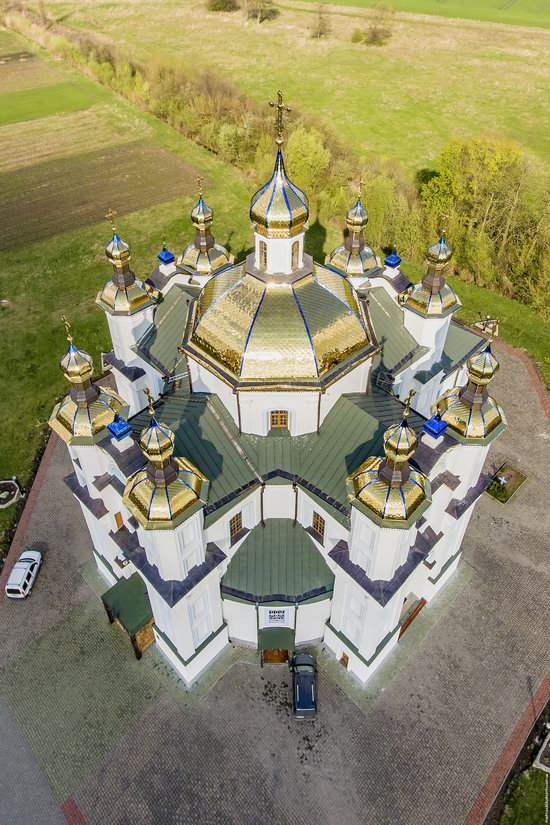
(159, 347)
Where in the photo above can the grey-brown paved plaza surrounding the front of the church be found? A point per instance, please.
(106, 740)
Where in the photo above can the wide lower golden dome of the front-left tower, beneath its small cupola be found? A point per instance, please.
(164, 507)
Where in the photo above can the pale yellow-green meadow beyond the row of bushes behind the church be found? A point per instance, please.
(436, 79)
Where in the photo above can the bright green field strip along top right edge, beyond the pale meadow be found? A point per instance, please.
(516, 12)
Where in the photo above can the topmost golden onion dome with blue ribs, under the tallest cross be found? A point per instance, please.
(279, 209)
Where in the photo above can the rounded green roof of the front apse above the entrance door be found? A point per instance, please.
(278, 560)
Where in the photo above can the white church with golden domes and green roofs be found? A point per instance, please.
(293, 450)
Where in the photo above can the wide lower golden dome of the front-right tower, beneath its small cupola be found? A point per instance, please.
(393, 506)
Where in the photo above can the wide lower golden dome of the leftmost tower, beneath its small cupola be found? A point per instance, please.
(76, 423)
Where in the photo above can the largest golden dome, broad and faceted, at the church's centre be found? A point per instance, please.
(252, 332)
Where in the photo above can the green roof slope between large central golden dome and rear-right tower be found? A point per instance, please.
(395, 340)
